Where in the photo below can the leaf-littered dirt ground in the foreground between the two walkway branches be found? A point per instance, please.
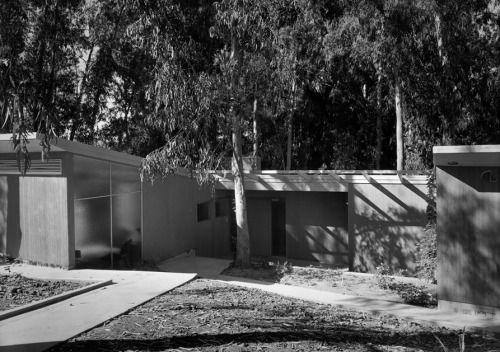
(206, 315)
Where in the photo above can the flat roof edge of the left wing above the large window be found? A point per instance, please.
(76, 148)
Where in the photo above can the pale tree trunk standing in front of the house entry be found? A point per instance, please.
(243, 258)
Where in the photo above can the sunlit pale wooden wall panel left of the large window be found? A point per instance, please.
(44, 220)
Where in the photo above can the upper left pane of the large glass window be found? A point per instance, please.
(91, 177)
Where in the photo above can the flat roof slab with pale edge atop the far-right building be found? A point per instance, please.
(467, 155)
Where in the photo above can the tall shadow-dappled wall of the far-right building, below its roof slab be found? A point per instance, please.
(468, 208)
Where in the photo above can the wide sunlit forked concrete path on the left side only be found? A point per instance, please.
(46, 327)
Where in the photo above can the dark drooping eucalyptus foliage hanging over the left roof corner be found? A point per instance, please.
(38, 62)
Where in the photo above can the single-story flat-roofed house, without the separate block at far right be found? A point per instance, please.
(86, 207)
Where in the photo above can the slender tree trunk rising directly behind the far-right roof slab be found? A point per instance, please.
(447, 105)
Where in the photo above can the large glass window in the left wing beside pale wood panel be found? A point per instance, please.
(107, 214)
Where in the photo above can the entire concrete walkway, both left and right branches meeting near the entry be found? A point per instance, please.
(46, 327)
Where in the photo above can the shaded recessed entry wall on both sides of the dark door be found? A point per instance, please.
(316, 225)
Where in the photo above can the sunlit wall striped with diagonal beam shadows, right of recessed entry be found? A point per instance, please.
(386, 222)
